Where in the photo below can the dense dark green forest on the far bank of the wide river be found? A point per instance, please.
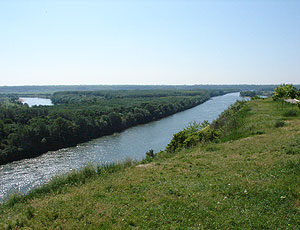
(79, 116)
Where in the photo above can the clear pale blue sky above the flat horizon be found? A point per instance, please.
(149, 42)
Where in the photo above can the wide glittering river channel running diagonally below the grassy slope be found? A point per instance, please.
(132, 143)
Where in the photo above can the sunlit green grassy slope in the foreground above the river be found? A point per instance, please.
(248, 183)
